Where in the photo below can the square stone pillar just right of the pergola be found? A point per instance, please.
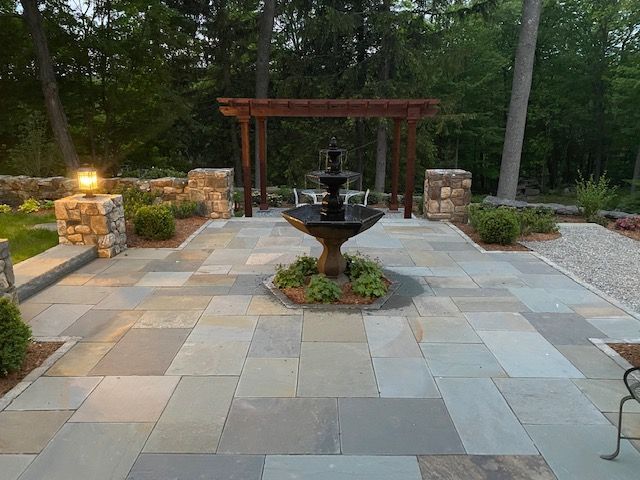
(447, 192)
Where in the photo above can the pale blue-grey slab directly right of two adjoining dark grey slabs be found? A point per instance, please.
(483, 419)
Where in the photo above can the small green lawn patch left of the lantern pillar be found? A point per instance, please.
(25, 242)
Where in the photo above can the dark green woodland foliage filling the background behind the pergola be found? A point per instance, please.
(138, 81)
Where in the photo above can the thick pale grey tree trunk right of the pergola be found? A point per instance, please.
(520, 89)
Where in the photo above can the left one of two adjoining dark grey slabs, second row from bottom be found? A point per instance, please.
(281, 425)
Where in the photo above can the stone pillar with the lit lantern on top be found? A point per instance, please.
(97, 220)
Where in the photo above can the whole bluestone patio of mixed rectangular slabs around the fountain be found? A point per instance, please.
(480, 366)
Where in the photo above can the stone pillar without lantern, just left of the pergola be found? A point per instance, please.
(213, 187)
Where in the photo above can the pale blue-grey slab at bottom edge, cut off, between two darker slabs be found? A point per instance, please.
(320, 467)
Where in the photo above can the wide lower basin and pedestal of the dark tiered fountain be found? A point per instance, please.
(332, 233)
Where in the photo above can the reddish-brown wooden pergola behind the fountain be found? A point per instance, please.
(399, 110)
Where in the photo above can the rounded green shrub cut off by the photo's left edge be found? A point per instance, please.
(14, 337)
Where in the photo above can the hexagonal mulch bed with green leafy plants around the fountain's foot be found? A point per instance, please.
(299, 285)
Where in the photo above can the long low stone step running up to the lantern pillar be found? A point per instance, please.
(37, 273)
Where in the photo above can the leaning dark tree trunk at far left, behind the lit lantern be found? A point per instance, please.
(57, 118)
